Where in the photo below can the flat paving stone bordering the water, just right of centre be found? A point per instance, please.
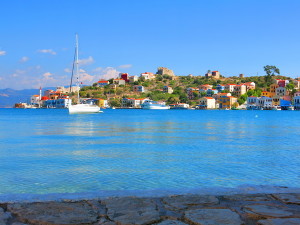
(187, 201)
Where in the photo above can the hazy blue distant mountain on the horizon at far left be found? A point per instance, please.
(8, 96)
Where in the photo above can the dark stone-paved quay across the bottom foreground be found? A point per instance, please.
(264, 209)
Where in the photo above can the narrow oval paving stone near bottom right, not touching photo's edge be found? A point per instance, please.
(267, 211)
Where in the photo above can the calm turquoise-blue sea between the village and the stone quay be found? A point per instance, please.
(46, 151)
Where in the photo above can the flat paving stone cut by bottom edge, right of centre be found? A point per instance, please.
(212, 217)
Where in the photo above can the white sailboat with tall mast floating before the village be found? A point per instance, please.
(80, 107)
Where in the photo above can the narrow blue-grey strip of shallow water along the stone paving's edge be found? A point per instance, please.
(148, 193)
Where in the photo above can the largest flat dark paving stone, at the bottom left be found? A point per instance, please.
(54, 213)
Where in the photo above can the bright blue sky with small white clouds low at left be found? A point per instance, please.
(37, 38)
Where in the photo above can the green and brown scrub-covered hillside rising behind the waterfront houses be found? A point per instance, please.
(153, 88)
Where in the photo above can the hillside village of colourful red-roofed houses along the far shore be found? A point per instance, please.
(211, 91)
